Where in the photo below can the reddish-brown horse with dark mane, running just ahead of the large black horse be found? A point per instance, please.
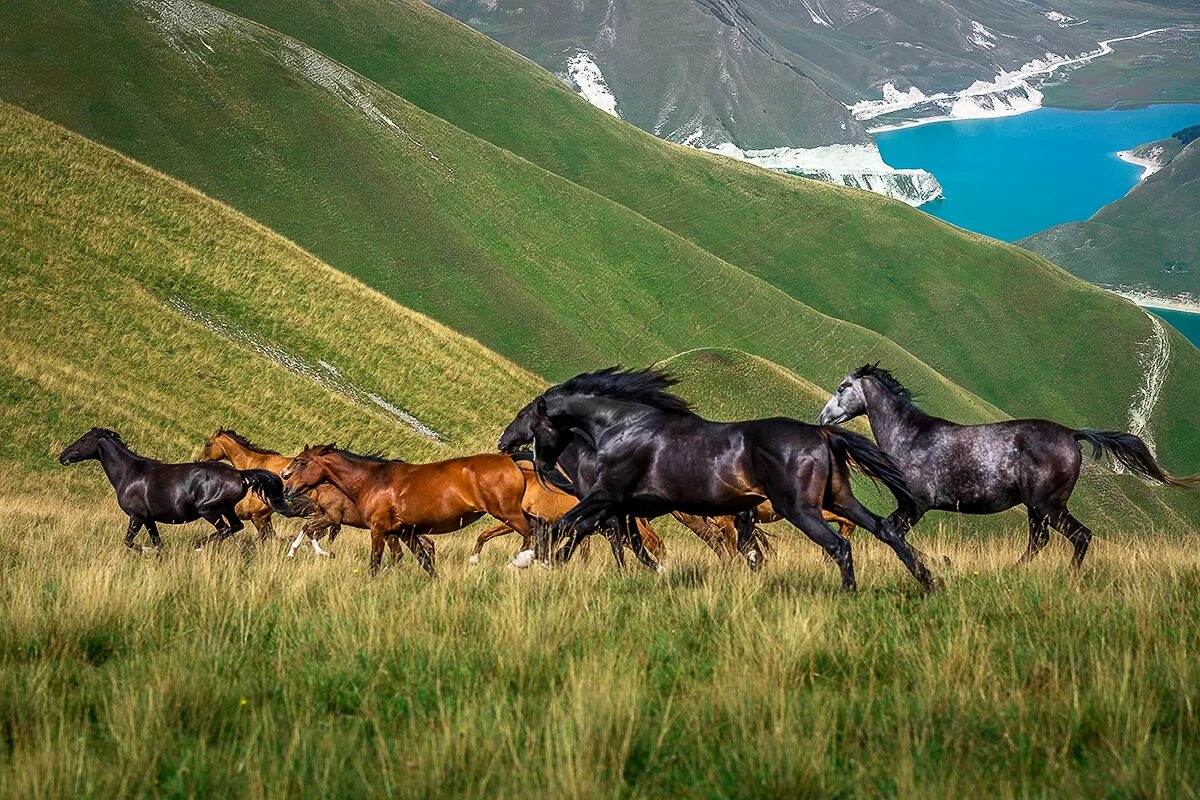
(406, 502)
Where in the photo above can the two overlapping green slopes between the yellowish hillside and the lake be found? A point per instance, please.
(563, 239)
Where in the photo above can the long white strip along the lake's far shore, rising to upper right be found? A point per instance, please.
(1009, 94)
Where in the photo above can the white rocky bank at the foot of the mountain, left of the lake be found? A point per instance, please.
(857, 166)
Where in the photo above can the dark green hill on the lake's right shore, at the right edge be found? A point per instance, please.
(1147, 242)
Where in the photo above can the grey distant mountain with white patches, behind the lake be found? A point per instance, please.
(796, 86)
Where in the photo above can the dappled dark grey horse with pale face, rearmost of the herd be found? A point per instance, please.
(985, 468)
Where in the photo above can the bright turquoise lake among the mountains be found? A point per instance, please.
(1016, 176)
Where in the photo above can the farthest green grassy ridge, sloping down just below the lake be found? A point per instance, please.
(987, 316)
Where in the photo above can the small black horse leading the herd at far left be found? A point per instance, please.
(152, 492)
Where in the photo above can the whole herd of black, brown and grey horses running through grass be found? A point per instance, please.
(614, 449)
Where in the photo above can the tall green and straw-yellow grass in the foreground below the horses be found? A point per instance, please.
(236, 672)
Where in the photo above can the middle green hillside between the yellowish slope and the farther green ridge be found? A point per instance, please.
(541, 269)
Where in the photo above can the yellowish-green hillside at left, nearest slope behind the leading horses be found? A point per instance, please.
(137, 304)
